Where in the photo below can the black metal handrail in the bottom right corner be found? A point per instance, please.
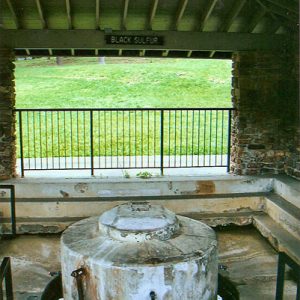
(284, 259)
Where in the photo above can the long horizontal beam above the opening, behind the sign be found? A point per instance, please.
(173, 40)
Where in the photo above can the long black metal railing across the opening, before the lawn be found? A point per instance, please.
(64, 139)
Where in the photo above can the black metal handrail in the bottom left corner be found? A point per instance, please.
(5, 275)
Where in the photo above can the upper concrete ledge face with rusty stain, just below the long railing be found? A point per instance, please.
(122, 187)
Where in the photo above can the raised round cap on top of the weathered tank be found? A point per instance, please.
(138, 221)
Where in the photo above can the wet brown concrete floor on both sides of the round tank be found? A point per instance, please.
(251, 263)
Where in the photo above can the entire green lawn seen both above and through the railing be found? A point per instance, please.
(123, 83)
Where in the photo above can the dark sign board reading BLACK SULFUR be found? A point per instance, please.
(148, 40)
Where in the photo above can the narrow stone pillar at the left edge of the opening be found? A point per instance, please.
(7, 116)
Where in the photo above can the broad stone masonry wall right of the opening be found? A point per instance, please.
(265, 93)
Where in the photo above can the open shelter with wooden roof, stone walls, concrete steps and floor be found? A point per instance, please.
(260, 195)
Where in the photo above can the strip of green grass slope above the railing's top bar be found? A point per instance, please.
(121, 82)
